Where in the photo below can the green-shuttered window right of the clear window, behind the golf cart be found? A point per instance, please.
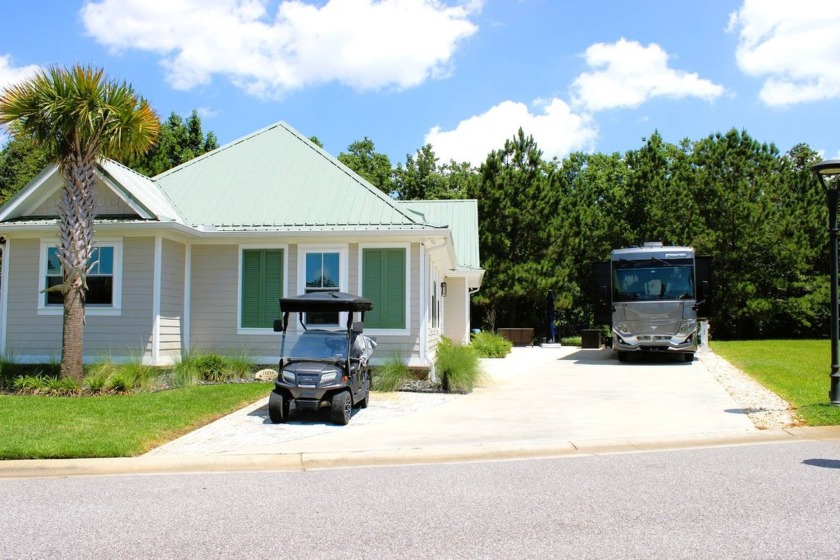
(383, 282)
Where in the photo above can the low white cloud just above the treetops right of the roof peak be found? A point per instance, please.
(557, 130)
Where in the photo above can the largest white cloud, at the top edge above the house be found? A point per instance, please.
(366, 44)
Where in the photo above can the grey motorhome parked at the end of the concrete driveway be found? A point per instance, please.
(653, 297)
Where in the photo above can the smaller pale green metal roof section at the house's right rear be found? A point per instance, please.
(461, 216)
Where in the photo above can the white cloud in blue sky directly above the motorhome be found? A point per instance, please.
(626, 74)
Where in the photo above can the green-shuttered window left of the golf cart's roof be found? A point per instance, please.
(262, 287)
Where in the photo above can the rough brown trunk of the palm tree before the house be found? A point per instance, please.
(76, 212)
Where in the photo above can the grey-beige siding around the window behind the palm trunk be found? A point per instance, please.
(38, 337)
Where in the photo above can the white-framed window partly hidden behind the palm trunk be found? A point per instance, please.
(103, 279)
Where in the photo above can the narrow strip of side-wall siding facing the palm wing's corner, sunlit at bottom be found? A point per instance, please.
(172, 300)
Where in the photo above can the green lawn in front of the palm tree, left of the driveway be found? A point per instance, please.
(34, 427)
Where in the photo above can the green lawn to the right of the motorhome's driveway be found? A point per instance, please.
(796, 370)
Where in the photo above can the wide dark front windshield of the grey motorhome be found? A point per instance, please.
(652, 281)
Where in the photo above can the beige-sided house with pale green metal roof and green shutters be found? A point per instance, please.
(197, 258)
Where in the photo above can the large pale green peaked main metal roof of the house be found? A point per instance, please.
(276, 178)
